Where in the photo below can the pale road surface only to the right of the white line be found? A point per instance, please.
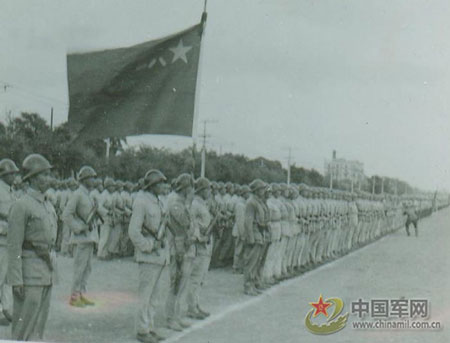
(394, 267)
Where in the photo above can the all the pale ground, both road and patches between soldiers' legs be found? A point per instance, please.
(393, 267)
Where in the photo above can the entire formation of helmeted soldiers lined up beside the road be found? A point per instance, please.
(268, 232)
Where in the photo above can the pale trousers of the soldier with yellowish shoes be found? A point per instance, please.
(82, 267)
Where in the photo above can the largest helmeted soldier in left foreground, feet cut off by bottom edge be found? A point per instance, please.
(32, 236)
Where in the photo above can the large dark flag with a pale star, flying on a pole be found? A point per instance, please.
(143, 89)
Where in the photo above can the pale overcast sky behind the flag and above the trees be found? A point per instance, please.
(369, 79)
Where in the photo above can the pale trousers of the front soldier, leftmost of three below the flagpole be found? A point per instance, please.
(150, 286)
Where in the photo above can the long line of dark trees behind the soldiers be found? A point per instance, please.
(30, 133)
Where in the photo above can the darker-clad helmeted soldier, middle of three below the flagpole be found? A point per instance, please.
(180, 225)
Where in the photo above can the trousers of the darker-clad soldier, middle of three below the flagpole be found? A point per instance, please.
(177, 295)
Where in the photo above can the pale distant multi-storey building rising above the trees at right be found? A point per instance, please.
(344, 170)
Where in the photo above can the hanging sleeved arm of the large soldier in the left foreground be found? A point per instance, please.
(17, 223)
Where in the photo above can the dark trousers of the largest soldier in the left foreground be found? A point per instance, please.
(30, 313)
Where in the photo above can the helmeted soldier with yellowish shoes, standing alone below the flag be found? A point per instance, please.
(82, 218)
